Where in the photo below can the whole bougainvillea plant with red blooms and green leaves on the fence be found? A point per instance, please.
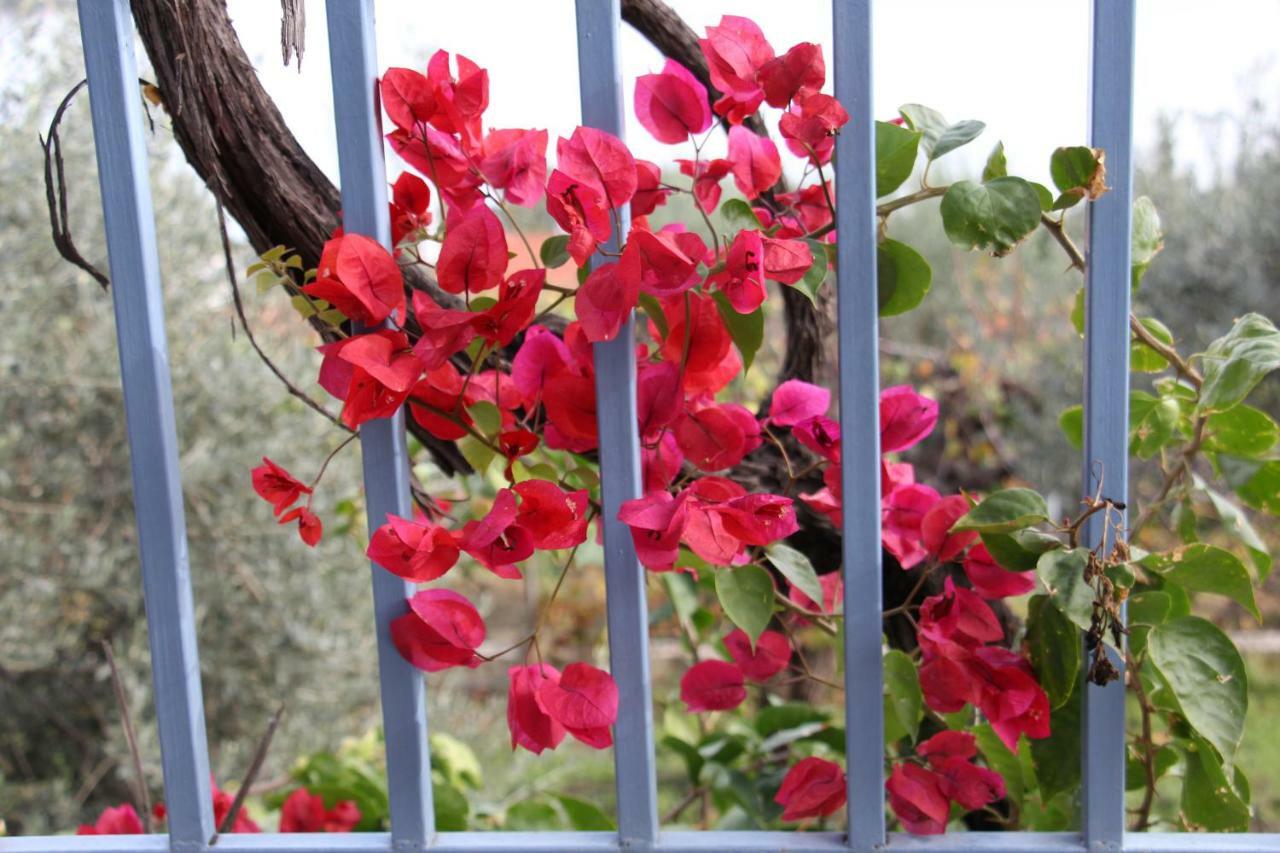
(982, 717)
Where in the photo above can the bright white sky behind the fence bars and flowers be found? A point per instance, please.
(1021, 66)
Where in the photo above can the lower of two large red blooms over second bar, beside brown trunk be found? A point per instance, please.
(371, 373)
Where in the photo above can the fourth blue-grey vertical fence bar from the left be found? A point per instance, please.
(860, 418)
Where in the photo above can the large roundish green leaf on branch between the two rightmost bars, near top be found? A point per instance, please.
(995, 216)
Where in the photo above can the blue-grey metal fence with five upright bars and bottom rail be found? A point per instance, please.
(109, 57)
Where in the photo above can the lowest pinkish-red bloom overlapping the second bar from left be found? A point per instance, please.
(442, 630)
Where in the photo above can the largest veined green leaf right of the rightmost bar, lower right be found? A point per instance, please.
(1208, 678)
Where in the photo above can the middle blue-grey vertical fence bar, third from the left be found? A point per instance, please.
(601, 86)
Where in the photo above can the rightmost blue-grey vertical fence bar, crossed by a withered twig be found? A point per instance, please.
(1107, 382)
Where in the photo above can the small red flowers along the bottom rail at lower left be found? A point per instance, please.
(301, 813)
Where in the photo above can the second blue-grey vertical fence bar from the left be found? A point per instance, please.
(354, 61)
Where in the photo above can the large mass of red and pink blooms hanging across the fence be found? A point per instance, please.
(546, 399)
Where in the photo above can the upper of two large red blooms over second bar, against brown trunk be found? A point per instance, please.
(360, 279)
